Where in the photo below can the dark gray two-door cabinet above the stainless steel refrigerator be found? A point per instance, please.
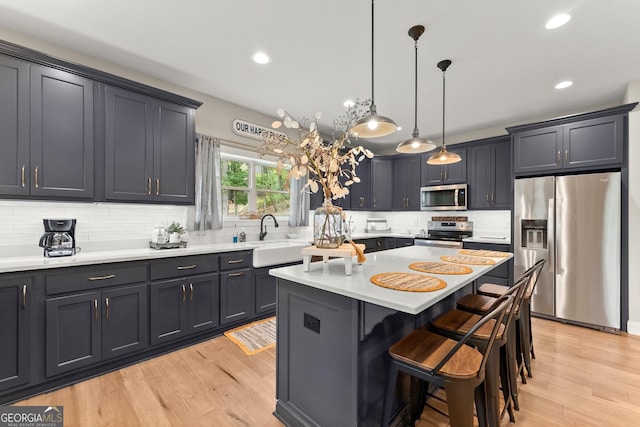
(584, 142)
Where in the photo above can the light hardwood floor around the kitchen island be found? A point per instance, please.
(581, 377)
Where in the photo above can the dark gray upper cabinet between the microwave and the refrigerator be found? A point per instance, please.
(490, 175)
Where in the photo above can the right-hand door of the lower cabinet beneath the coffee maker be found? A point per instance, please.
(125, 324)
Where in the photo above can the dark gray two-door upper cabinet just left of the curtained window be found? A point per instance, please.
(149, 149)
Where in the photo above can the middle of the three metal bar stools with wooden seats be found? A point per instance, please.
(455, 324)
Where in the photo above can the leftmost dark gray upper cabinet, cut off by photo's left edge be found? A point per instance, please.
(41, 157)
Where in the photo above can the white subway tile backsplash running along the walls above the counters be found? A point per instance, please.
(113, 225)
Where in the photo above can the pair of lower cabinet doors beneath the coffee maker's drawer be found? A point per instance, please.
(83, 329)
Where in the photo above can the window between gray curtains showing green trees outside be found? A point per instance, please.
(253, 186)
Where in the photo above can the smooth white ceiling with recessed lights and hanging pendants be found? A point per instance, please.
(505, 64)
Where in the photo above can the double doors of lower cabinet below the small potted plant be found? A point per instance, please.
(183, 306)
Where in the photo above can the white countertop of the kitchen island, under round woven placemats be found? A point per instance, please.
(331, 277)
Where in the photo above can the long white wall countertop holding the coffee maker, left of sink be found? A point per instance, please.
(26, 263)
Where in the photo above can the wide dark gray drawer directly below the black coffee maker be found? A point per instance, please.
(93, 277)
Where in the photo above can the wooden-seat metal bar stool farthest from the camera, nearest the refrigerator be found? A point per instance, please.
(526, 335)
